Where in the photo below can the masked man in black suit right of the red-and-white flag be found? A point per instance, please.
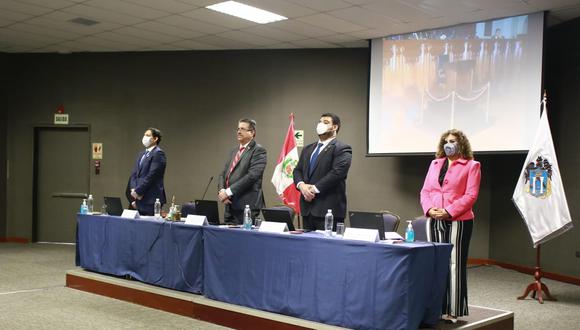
(320, 175)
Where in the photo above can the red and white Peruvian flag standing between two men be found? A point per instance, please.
(283, 178)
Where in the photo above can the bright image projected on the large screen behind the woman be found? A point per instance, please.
(483, 78)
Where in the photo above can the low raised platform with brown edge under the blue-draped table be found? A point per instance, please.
(239, 317)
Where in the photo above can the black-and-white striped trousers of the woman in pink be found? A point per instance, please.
(457, 233)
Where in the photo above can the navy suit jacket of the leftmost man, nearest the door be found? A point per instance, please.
(147, 179)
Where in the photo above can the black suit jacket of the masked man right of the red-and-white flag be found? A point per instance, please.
(329, 177)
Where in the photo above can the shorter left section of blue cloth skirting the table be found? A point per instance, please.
(161, 253)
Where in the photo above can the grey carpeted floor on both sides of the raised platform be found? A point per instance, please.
(33, 296)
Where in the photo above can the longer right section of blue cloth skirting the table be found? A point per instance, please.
(347, 283)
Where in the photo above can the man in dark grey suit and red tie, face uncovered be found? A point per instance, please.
(240, 182)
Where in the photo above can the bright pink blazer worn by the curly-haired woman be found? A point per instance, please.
(459, 191)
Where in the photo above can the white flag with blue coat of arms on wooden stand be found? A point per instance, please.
(539, 195)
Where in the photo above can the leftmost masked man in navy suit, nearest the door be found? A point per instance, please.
(146, 181)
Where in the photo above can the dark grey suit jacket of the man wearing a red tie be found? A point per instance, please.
(246, 178)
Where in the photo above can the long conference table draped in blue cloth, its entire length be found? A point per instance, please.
(348, 283)
